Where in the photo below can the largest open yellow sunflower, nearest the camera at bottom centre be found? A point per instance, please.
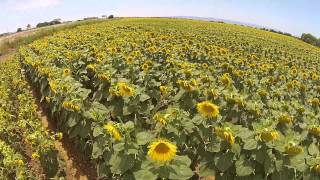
(162, 150)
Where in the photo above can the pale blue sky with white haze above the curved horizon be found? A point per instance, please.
(293, 16)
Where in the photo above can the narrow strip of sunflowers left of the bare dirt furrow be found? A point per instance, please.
(22, 136)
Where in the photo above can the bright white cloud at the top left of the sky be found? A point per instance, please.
(22, 5)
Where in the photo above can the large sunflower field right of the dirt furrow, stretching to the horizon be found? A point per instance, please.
(157, 98)
